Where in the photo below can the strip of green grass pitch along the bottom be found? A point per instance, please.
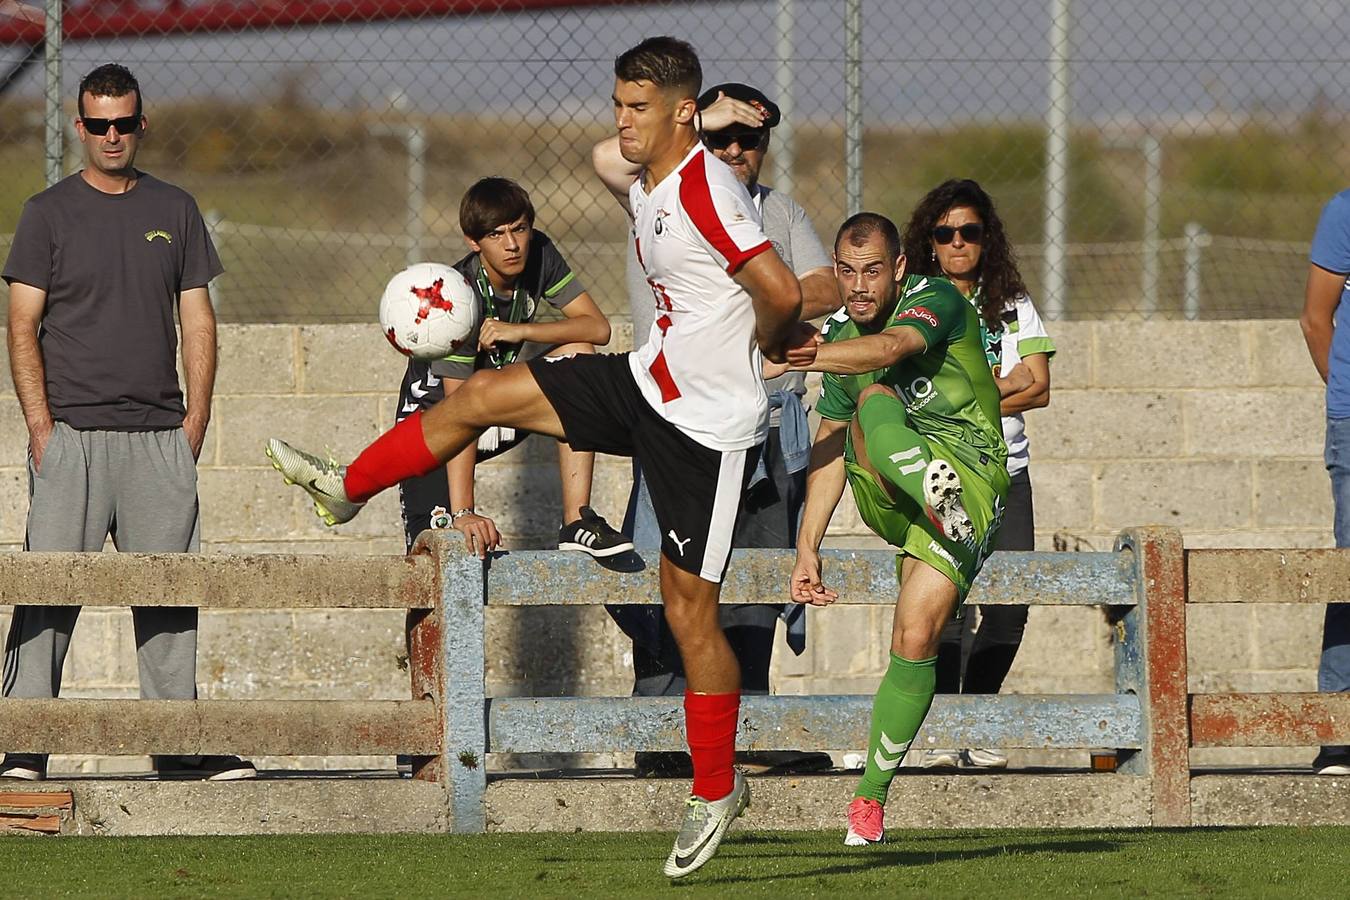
(1210, 863)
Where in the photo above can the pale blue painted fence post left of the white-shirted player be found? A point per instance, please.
(465, 697)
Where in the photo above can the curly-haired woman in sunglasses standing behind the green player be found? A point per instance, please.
(955, 233)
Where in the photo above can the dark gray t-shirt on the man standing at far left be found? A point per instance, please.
(113, 266)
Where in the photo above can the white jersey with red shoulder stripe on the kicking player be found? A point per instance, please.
(701, 368)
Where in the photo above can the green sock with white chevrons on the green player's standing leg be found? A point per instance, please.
(898, 712)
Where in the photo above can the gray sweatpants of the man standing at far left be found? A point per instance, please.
(142, 489)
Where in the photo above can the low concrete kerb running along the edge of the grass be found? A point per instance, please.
(531, 804)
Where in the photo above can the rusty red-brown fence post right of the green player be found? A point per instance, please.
(1151, 663)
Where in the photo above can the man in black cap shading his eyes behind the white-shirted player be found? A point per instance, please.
(736, 123)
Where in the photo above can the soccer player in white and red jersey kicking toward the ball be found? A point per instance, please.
(691, 404)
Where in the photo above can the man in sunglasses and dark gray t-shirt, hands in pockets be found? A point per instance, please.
(99, 264)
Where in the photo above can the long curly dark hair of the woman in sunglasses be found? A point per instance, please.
(1000, 277)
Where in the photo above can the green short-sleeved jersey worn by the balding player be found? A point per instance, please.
(948, 391)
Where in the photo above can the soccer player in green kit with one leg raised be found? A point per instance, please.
(911, 420)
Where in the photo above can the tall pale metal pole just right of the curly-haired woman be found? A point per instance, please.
(1058, 163)
